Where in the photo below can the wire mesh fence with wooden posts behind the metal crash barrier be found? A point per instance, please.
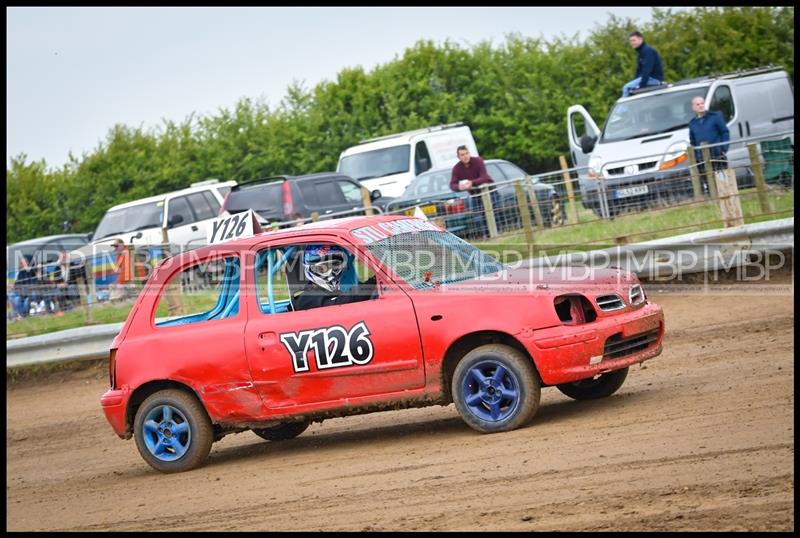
(571, 209)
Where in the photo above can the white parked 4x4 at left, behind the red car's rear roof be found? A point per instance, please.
(186, 212)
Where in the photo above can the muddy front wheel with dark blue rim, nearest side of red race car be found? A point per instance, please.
(496, 388)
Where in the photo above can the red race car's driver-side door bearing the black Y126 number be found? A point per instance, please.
(316, 358)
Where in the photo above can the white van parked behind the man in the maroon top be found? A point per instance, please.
(389, 163)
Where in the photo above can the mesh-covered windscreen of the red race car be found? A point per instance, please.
(426, 259)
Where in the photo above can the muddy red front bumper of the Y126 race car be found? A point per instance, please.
(570, 353)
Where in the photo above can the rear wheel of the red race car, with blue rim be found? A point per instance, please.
(172, 431)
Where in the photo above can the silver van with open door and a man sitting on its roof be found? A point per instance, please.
(641, 150)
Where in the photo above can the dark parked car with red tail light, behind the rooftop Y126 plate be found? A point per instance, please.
(287, 198)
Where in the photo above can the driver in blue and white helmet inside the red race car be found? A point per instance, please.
(325, 269)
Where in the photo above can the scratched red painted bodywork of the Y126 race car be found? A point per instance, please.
(243, 375)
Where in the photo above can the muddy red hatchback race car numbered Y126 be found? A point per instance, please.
(358, 315)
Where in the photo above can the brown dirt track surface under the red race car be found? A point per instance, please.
(701, 438)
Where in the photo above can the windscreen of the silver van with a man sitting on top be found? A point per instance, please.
(653, 114)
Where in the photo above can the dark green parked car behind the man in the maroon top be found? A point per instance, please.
(431, 192)
